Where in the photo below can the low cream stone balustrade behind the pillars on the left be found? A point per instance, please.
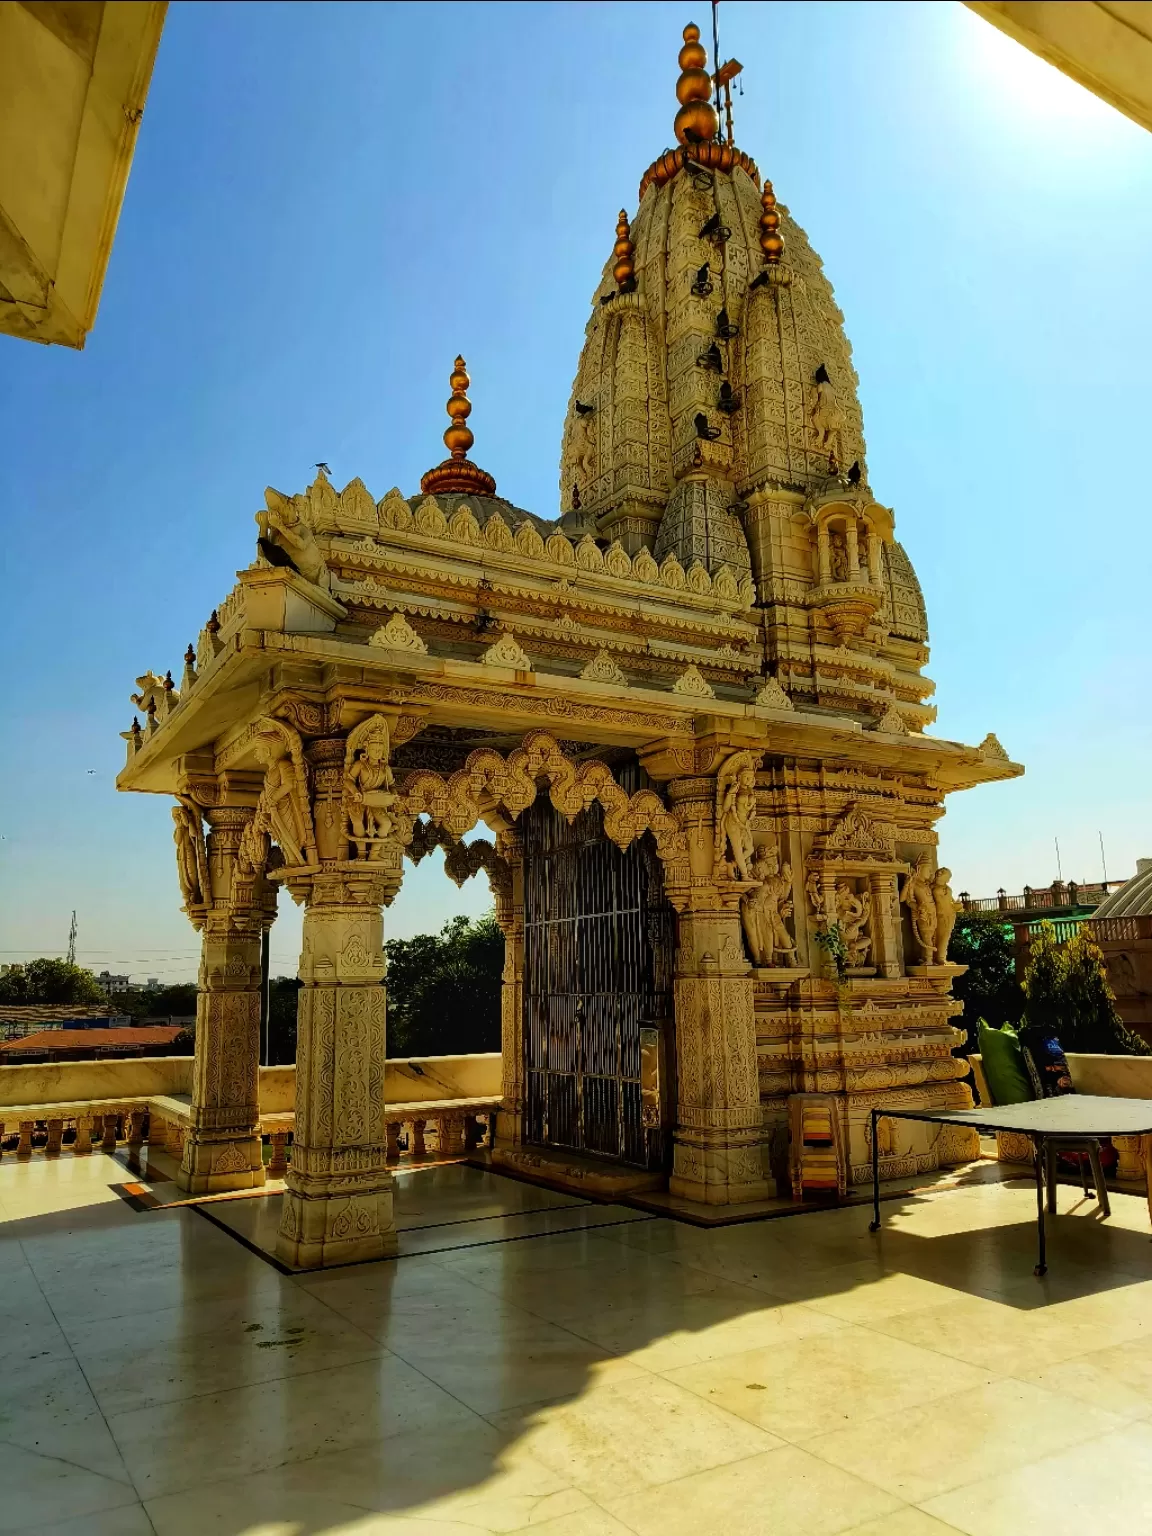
(73, 1107)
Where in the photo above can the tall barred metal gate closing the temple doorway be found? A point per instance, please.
(598, 944)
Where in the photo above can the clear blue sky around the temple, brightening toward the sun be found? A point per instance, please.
(329, 202)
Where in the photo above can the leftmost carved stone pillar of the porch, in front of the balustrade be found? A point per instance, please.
(222, 1148)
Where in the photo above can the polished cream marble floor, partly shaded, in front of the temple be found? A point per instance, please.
(577, 1369)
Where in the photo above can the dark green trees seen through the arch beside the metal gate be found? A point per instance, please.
(445, 990)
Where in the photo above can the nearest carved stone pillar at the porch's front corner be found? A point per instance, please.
(339, 1190)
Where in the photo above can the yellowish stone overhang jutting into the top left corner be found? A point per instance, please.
(73, 84)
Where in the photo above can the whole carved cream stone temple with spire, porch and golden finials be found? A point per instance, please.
(690, 715)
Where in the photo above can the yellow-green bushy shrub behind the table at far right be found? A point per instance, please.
(1068, 995)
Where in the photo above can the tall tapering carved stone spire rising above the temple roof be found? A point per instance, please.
(720, 362)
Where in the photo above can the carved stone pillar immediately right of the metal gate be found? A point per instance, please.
(718, 1148)
